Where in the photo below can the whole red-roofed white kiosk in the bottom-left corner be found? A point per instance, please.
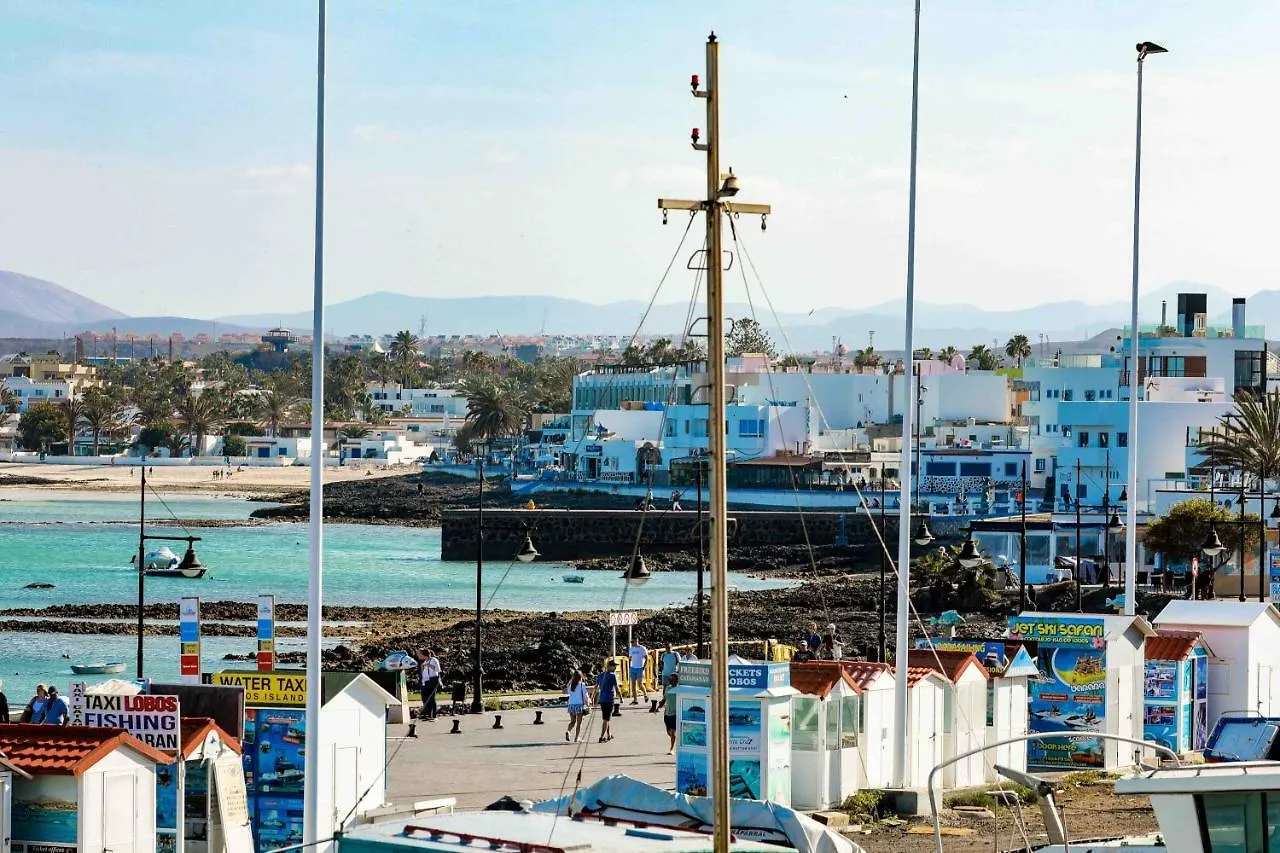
(85, 791)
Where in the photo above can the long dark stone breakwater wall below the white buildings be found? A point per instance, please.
(570, 535)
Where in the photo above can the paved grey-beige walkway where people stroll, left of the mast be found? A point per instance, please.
(524, 760)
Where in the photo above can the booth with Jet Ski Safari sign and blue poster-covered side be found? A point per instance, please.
(1091, 679)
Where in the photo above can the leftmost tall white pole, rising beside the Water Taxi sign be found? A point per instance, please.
(312, 832)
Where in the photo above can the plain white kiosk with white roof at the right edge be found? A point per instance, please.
(1245, 669)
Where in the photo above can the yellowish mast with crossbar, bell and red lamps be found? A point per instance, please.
(719, 188)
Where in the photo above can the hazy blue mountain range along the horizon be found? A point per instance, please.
(33, 308)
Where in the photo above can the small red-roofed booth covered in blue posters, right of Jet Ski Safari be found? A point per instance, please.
(1176, 691)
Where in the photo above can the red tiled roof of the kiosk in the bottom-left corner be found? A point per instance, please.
(66, 751)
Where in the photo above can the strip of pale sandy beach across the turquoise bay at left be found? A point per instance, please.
(248, 482)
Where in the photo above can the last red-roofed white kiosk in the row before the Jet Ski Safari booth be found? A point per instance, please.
(964, 713)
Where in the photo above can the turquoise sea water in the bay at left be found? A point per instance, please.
(83, 545)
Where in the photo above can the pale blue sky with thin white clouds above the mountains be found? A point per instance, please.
(161, 157)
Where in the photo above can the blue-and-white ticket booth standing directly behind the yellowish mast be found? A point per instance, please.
(760, 729)
